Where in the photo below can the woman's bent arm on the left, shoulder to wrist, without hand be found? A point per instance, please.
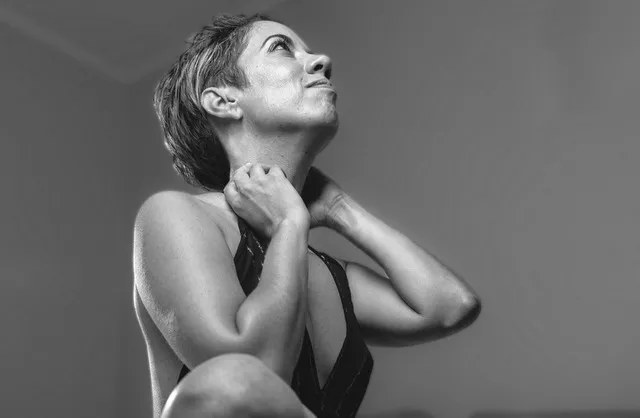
(186, 278)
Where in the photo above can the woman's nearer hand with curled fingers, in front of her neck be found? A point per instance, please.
(263, 197)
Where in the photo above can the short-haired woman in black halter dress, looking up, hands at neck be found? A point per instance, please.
(233, 303)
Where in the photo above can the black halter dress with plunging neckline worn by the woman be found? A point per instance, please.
(344, 389)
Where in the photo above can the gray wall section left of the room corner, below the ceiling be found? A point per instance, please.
(66, 274)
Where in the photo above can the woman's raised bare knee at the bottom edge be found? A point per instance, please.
(230, 386)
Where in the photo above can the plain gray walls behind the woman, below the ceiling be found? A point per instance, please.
(501, 135)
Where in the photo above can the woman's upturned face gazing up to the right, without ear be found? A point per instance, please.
(280, 69)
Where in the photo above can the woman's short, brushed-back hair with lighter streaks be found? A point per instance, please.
(210, 59)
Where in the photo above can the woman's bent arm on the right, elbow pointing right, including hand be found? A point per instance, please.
(419, 299)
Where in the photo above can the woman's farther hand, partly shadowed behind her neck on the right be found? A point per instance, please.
(321, 195)
